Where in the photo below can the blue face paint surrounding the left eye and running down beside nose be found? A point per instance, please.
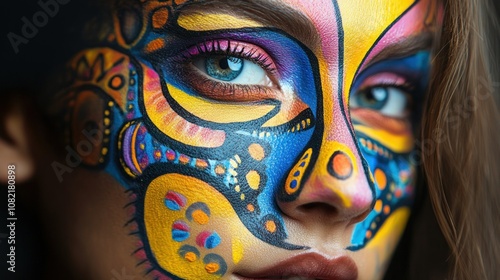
(281, 144)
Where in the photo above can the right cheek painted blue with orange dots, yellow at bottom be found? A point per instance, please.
(394, 174)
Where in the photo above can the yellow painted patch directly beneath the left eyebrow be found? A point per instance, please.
(211, 21)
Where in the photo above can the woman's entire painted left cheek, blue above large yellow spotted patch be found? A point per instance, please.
(205, 195)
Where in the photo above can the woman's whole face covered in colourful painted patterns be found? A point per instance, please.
(260, 140)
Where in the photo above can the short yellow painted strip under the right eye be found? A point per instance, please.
(396, 143)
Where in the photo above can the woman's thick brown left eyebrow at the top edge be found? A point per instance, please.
(283, 17)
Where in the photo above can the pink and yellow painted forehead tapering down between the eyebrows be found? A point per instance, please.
(353, 32)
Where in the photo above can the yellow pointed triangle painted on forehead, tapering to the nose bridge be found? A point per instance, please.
(363, 23)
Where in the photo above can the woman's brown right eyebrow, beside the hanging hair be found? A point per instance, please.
(405, 47)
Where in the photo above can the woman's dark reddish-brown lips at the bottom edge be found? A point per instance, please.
(309, 265)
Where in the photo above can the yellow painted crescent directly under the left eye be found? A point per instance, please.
(218, 112)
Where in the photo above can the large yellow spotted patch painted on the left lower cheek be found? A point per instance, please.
(190, 227)
